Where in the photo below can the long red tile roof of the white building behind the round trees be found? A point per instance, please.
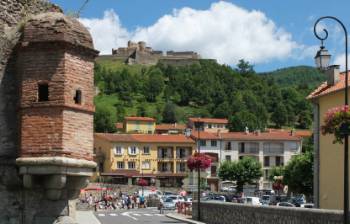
(263, 136)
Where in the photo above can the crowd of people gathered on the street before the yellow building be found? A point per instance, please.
(116, 201)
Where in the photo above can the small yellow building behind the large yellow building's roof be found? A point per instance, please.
(142, 125)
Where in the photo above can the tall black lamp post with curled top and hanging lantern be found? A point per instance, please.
(322, 59)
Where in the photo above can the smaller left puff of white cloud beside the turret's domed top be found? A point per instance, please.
(107, 32)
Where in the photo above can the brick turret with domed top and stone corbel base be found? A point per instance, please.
(55, 72)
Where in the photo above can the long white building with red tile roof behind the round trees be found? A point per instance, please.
(271, 148)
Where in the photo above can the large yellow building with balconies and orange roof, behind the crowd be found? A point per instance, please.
(123, 158)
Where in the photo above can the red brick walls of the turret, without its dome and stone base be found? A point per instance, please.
(57, 127)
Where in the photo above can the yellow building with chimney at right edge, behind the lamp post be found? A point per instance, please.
(328, 157)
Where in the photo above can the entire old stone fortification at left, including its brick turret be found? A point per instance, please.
(45, 142)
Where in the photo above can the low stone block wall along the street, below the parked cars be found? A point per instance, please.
(228, 213)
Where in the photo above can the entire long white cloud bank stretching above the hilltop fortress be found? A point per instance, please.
(225, 32)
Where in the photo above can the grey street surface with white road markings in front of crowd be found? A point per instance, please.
(148, 215)
